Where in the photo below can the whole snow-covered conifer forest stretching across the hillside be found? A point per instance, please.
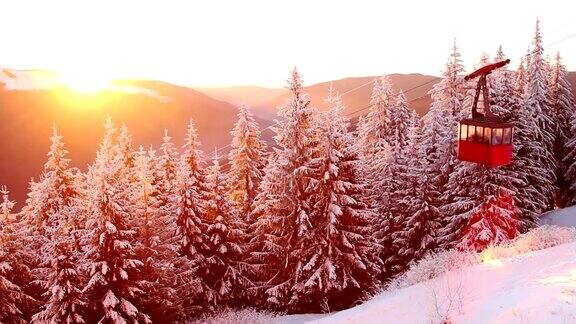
(318, 220)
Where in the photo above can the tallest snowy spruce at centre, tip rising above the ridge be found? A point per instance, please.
(285, 202)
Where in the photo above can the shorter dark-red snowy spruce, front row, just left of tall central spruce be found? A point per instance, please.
(223, 270)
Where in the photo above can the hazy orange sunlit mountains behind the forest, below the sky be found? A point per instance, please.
(30, 101)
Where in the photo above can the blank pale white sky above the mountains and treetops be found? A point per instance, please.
(220, 43)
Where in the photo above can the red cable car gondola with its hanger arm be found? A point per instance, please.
(485, 138)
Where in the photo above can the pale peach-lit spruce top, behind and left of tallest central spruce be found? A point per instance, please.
(247, 161)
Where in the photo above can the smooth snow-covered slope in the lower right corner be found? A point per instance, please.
(533, 287)
